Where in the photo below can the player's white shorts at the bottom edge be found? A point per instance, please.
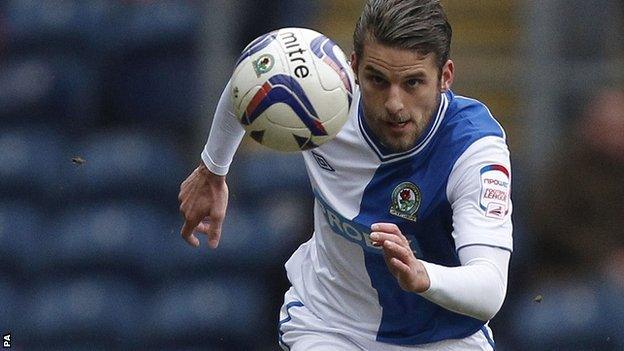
(300, 330)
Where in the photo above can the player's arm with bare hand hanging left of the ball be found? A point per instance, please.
(204, 194)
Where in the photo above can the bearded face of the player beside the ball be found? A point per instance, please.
(400, 91)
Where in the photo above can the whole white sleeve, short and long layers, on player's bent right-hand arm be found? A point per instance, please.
(479, 189)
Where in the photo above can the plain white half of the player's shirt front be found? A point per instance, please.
(334, 273)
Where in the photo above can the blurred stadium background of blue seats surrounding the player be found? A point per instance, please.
(105, 106)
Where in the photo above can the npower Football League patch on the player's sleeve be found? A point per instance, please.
(495, 190)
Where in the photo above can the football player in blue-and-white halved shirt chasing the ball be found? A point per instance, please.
(412, 220)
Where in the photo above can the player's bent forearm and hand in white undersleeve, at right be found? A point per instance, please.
(477, 288)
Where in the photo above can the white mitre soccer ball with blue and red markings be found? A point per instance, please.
(292, 89)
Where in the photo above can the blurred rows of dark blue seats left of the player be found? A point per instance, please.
(98, 100)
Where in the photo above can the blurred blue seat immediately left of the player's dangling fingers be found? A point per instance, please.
(114, 236)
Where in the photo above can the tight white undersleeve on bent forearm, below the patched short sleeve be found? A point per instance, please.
(477, 288)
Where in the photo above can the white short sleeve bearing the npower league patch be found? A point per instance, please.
(479, 191)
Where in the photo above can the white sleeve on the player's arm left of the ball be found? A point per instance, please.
(225, 136)
